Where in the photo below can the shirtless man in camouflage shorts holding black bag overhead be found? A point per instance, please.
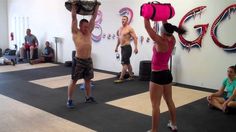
(83, 46)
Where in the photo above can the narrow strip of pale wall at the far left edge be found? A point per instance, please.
(3, 25)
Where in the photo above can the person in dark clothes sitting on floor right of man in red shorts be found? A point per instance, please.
(47, 55)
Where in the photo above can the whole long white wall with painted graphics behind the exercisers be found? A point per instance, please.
(204, 66)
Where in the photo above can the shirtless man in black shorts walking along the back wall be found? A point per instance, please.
(125, 33)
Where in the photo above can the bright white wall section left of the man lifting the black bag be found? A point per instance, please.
(47, 19)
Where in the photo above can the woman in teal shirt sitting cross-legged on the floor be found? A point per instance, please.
(229, 101)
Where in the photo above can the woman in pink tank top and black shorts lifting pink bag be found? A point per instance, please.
(161, 77)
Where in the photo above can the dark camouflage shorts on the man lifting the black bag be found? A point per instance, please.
(83, 69)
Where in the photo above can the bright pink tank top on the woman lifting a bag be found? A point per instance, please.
(160, 59)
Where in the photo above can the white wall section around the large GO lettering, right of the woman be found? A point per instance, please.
(205, 66)
